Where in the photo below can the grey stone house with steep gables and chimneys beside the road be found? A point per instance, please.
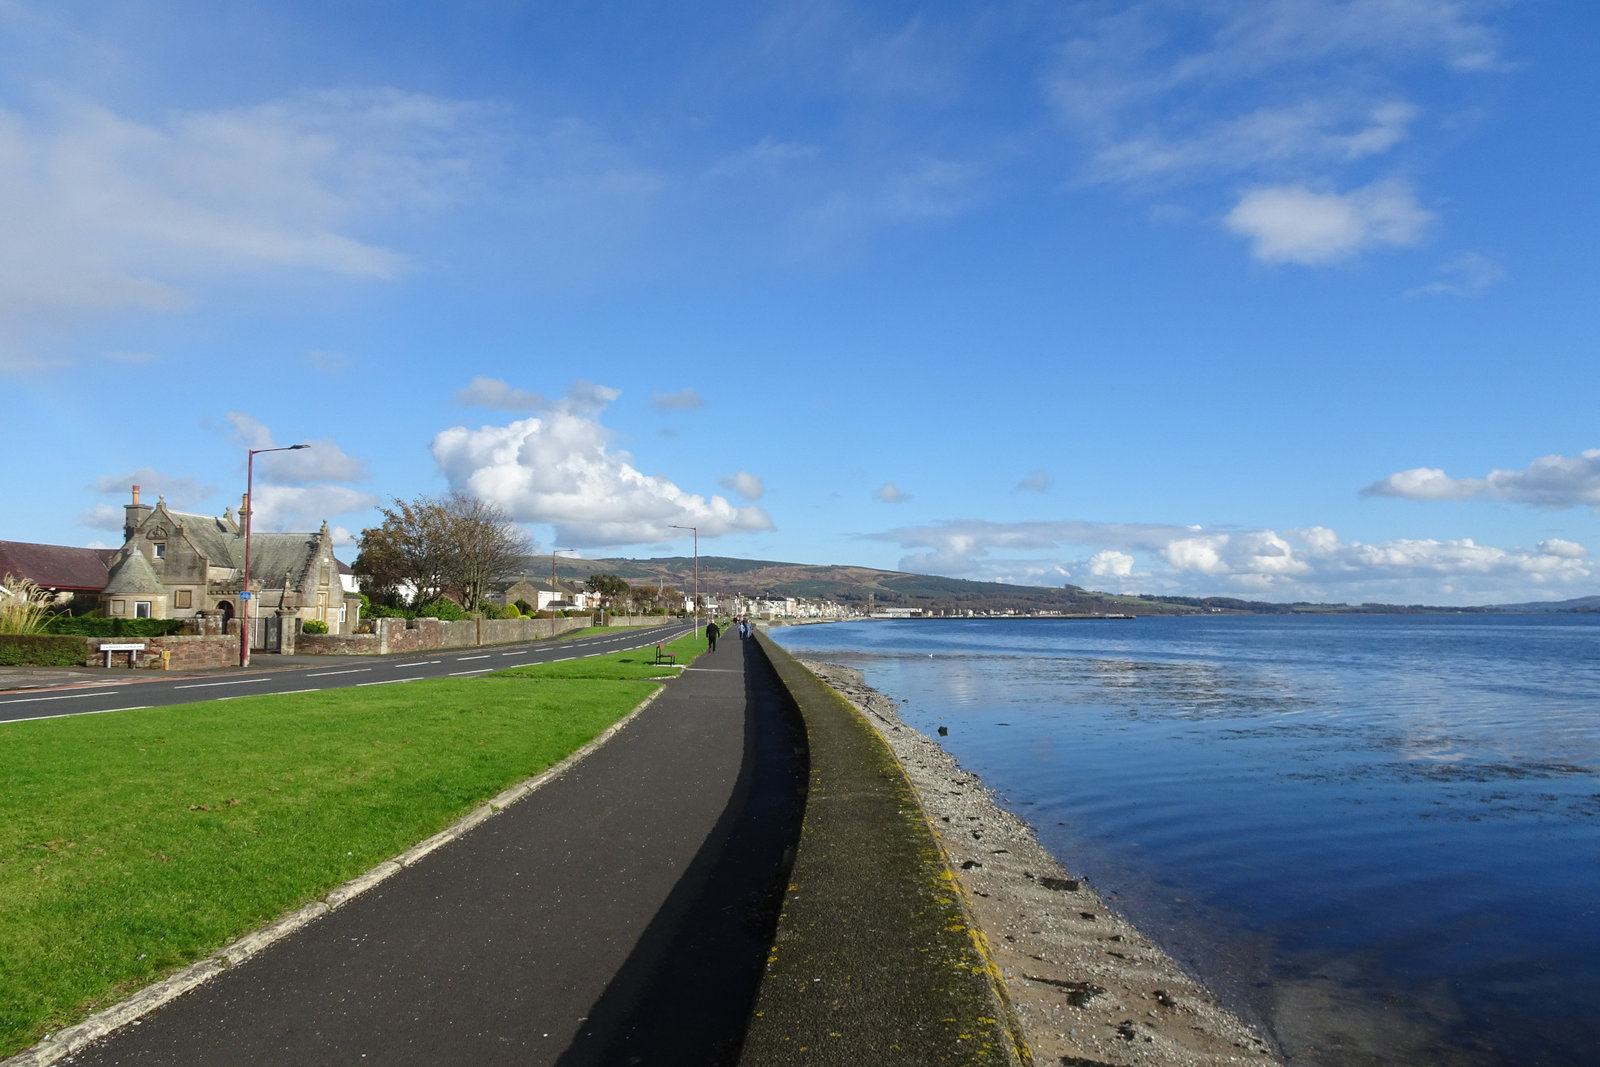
(175, 565)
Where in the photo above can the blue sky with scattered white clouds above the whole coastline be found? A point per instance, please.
(1286, 300)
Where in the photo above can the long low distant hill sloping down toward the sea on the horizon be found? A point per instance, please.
(866, 588)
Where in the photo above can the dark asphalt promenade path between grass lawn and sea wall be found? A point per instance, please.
(620, 914)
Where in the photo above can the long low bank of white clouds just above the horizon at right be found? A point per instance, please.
(1310, 564)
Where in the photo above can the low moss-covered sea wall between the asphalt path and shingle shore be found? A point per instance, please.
(876, 959)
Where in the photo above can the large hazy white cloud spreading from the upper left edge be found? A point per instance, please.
(121, 214)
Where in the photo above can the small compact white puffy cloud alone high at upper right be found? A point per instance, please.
(1295, 225)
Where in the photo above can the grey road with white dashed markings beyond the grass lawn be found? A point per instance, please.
(118, 693)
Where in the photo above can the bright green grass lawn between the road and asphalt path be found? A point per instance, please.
(138, 842)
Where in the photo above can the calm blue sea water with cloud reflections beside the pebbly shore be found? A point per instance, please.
(1378, 837)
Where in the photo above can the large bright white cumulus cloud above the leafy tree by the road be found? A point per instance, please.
(559, 468)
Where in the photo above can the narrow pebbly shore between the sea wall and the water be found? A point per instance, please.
(1089, 988)
